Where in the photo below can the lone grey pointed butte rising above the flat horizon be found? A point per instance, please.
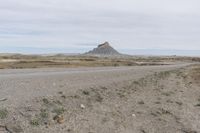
(104, 50)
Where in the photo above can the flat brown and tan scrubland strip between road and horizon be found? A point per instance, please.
(18, 61)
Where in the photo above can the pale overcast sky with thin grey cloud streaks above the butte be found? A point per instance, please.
(82, 24)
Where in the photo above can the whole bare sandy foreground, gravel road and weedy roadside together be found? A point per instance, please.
(139, 99)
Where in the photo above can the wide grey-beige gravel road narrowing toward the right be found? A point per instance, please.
(26, 84)
